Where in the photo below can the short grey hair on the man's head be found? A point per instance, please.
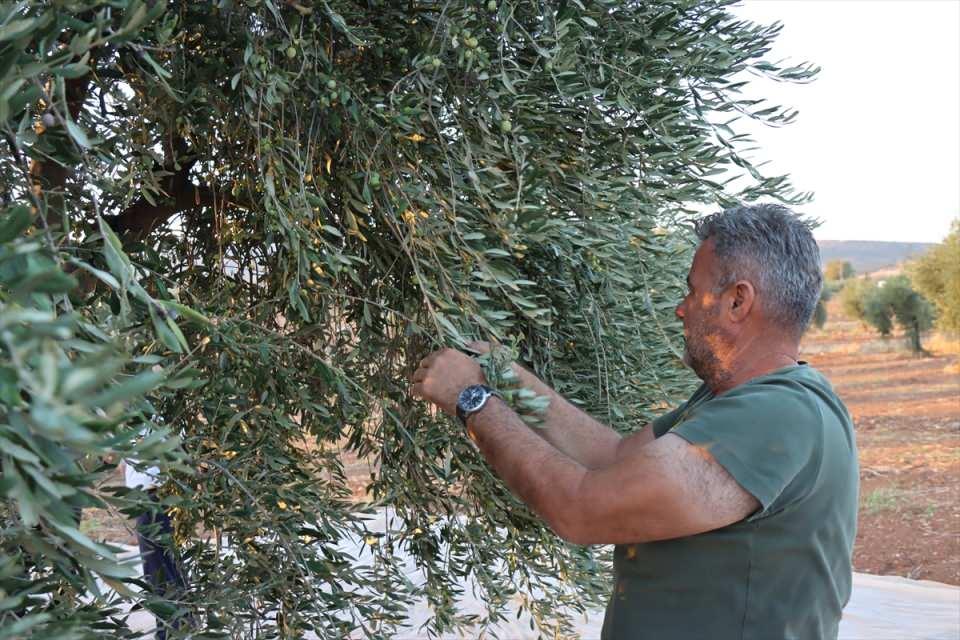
(773, 248)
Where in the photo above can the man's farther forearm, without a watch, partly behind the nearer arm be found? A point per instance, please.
(570, 430)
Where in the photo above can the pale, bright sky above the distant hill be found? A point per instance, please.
(878, 135)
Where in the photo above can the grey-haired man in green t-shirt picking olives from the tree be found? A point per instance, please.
(734, 515)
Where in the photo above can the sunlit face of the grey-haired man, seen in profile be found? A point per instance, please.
(707, 338)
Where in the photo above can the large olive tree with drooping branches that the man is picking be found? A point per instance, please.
(255, 217)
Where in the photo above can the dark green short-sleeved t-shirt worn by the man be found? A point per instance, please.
(785, 571)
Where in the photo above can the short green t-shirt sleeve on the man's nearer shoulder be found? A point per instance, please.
(764, 435)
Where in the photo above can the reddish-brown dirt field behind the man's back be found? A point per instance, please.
(907, 416)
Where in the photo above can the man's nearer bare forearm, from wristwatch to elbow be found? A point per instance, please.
(545, 478)
